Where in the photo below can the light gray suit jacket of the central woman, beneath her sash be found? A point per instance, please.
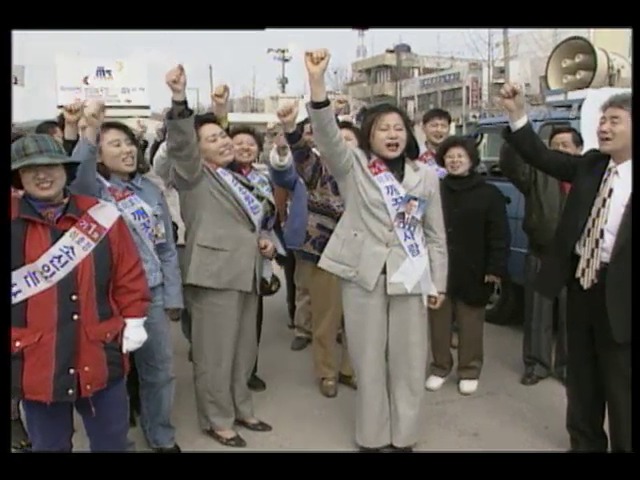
(365, 239)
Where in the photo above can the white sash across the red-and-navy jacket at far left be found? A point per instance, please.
(67, 253)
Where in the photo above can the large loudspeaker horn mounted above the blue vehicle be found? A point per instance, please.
(575, 63)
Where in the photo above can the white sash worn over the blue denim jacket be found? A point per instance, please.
(138, 215)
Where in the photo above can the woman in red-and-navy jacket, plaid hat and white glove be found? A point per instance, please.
(79, 302)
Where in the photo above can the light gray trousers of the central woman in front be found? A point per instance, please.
(388, 347)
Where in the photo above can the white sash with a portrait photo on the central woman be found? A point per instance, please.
(416, 267)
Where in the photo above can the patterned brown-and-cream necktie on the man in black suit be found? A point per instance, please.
(590, 243)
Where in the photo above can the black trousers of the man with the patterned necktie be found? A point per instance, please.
(598, 373)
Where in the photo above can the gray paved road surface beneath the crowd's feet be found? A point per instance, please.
(502, 415)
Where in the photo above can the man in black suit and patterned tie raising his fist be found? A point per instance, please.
(591, 255)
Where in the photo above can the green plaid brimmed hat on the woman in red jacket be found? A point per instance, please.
(37, 149)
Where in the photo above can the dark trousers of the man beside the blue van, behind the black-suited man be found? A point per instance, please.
(539, 341)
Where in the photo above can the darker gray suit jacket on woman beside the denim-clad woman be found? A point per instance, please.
(221, 242)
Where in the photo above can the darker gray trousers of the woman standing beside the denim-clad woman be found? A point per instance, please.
(225, 346)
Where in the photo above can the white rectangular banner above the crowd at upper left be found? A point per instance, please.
(123, 85)
